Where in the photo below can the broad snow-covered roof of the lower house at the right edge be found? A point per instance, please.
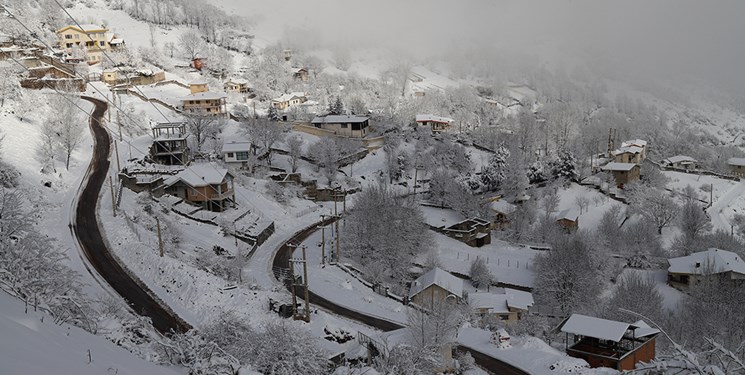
(712, 260)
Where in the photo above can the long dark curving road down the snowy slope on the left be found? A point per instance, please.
(85, 229)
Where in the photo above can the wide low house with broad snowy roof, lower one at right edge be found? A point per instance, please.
(692, 269)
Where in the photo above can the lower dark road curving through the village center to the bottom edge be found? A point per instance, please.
(282, 261)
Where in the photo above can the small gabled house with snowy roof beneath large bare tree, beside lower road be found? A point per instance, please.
(435, 286)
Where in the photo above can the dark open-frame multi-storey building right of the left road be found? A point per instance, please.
(170, 143)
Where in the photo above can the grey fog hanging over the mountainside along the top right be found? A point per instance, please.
(684, 40)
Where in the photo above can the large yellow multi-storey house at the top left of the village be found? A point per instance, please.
(93, 39)
